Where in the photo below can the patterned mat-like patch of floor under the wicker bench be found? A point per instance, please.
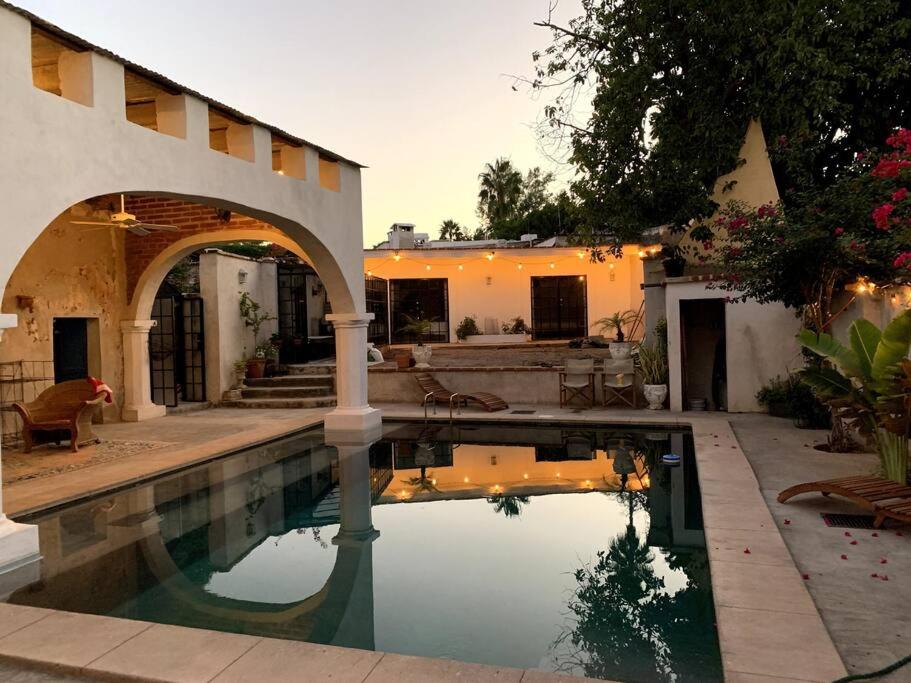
(47, 461)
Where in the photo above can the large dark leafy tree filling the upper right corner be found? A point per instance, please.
(675, 83)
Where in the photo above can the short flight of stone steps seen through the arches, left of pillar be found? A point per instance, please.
(308, 386)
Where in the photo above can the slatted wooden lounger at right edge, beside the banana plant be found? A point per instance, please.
(885, 498)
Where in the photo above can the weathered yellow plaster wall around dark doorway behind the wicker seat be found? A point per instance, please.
(71, 271)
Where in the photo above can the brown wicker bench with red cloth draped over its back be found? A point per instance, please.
(63, 409)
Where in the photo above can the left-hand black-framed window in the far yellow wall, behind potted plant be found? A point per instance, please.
(425, 299)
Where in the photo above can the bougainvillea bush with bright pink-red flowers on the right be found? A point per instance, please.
(857, 229)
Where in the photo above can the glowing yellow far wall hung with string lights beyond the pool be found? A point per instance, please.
(611, 286)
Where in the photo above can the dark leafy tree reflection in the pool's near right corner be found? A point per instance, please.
(625, 625)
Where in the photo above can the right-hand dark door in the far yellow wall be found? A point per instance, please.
(559, 307)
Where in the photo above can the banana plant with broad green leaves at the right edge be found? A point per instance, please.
(869, 384)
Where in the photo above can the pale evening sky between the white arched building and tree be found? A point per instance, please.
(418, 90)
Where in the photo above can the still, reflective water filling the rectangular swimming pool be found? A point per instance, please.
(553, 548)
